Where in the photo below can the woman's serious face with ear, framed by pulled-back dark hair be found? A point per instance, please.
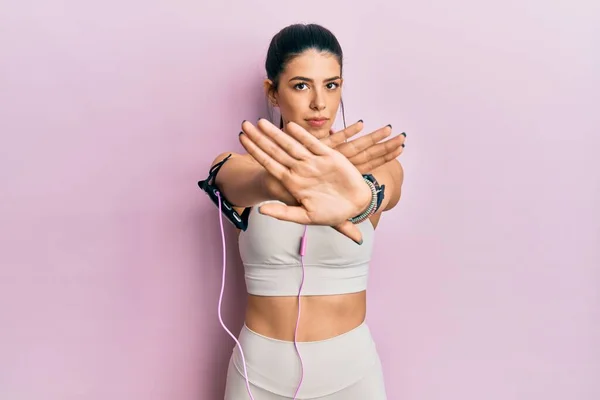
(309, 91)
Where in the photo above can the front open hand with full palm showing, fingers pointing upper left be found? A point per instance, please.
(328, 188)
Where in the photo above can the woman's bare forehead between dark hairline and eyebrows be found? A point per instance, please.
(314, 64)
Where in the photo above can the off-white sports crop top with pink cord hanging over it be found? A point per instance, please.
(334, 264)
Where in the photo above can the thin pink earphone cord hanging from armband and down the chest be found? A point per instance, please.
(302, 253)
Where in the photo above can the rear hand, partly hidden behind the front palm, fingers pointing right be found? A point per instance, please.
(366, 152)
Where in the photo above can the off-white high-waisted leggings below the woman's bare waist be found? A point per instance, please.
(345, 367)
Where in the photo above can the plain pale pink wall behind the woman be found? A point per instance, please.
(485, 280)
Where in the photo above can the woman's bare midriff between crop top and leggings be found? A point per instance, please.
(321, 317)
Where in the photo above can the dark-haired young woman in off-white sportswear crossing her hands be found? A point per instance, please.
(314, 202)
